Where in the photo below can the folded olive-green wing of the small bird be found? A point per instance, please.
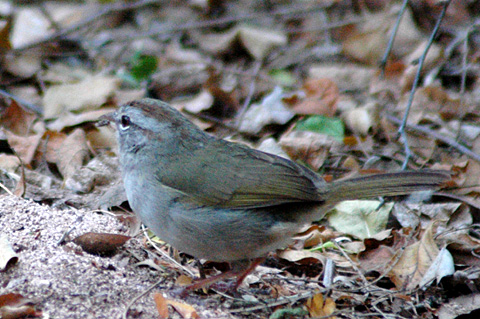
(228, 175)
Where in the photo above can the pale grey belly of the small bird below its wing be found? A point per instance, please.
(215, 234)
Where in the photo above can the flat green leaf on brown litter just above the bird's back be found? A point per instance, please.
(324, 125)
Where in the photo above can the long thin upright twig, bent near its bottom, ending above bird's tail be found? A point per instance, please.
(401, 130)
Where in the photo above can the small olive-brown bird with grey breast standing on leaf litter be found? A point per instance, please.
(223, 201)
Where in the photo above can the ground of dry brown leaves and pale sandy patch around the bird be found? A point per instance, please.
(252, 71)
